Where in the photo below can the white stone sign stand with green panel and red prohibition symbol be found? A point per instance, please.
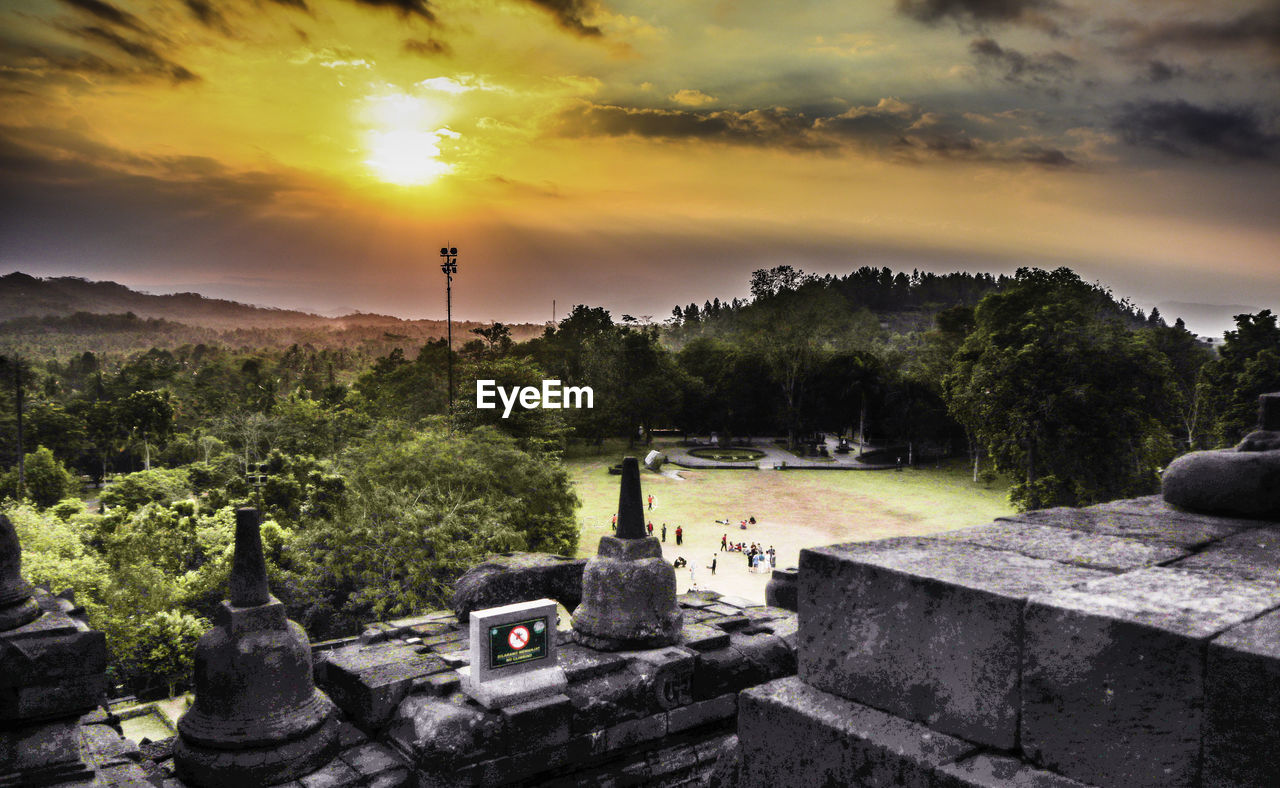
(514, 654)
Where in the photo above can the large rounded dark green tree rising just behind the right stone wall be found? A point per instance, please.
(1058, 390)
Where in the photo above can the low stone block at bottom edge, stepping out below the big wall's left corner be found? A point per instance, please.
(798, 736)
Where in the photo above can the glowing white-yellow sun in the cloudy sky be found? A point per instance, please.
(404, 145)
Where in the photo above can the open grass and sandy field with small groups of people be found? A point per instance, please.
(794, 510)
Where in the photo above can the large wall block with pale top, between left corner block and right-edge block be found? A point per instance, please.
(1114, 674)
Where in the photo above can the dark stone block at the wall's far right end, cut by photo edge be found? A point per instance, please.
(1242, 714)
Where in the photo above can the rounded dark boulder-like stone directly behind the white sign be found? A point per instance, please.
(519, 578)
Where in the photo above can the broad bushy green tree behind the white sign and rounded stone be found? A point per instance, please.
(422, 508)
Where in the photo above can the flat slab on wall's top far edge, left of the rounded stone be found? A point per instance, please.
(1183, 532)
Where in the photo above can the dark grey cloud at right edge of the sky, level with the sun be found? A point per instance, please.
(1180, 129)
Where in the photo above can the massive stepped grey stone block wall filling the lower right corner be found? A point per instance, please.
(1124, 645)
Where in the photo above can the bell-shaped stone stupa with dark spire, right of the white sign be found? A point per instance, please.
(629, 589)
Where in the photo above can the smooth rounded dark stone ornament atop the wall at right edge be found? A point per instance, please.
(1242, 482)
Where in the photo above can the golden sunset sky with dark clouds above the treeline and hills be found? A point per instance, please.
(637, 154)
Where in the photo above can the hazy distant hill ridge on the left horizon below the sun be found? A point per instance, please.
(36, 311)
